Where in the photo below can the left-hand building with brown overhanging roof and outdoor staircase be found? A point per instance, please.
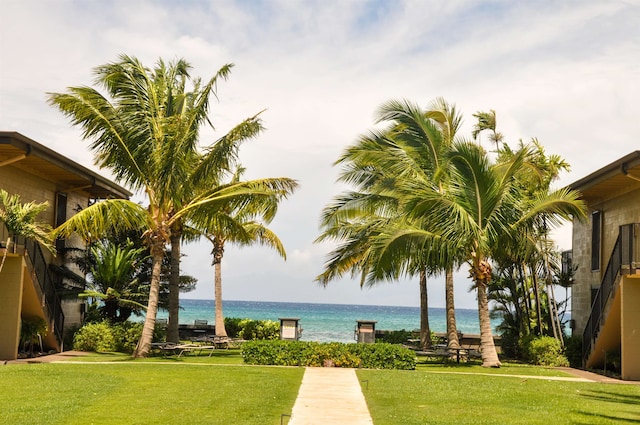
(29, 286)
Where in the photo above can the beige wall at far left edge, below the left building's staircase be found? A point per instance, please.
(10, 306)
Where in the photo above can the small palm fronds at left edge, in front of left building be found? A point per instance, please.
(21, 221)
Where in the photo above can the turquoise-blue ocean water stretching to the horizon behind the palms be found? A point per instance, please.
(328, 322)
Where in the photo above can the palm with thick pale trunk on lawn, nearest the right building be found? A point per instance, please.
(480, 209)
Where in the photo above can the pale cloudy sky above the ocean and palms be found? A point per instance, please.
(564, 72)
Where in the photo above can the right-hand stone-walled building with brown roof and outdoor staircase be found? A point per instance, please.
(605, 304)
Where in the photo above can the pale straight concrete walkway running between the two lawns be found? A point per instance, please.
(330, 395)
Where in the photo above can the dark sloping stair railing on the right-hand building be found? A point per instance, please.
(622, 261)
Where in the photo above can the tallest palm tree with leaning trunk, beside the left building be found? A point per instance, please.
(146, 132)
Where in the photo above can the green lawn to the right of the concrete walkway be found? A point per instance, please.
(425, 397)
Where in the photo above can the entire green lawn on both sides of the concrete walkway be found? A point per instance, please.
(113, 389)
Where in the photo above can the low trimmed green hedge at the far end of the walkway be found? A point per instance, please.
(302, 353)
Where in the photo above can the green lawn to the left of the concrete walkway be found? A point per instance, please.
(146, 392)
